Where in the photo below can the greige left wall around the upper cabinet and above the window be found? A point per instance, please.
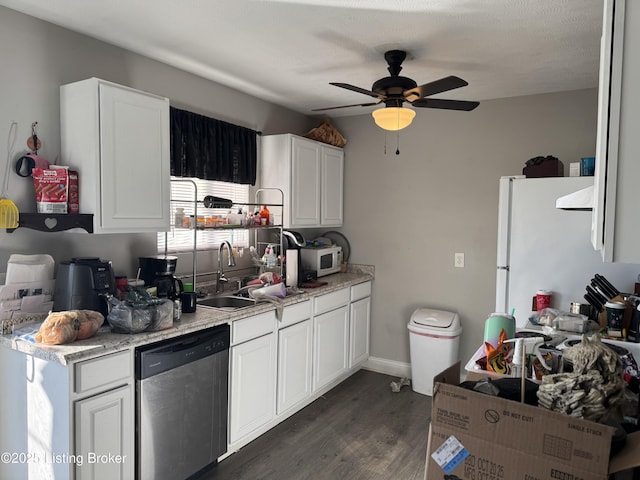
(38, 57)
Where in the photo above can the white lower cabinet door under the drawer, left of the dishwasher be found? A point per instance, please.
(104, 431)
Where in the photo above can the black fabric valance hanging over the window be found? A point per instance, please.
(211, 149)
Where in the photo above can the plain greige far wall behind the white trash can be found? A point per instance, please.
(408, 214)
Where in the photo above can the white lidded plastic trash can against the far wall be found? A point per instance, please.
(434, 339)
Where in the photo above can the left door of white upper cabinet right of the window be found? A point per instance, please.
(305, 183)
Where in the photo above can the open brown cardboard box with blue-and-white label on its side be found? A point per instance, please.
(473, 436)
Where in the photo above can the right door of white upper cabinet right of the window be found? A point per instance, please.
(332, 187)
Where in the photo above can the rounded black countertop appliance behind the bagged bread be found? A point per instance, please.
(84, 283)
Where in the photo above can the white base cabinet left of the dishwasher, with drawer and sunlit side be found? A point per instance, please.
(61, 415)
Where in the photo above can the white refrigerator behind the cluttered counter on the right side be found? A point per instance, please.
(541, 247)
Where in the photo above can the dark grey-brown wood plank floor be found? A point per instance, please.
(360, 430)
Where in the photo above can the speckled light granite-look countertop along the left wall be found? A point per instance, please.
(105, 342)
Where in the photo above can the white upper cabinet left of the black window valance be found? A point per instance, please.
(118, 140)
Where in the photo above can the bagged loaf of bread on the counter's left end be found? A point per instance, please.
(68, 326)
